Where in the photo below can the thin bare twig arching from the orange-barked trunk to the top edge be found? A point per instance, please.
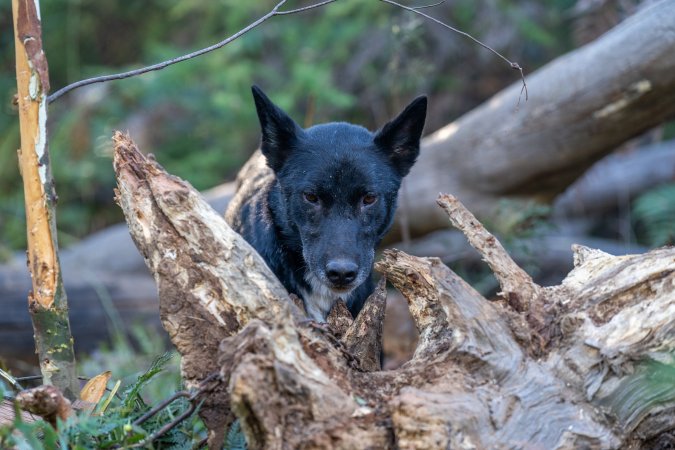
(159, 66)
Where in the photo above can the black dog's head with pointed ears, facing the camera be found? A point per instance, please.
(338, 188)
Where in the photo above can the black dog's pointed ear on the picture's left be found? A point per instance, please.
(279, 131)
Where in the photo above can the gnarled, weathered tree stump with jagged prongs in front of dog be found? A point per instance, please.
(559, 367)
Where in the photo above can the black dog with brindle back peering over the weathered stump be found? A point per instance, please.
(329, 198)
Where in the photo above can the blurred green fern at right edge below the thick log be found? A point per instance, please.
(654, 213)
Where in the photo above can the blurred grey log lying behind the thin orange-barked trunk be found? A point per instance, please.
(109, 290)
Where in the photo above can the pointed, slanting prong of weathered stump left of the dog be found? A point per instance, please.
(211, 282)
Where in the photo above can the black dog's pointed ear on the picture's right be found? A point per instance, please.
(400, 138)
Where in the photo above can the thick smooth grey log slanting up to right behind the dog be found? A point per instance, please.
(581, 107)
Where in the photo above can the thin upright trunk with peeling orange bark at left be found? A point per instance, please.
(47, 301)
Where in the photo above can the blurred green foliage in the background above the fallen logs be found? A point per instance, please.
(350, 60)
